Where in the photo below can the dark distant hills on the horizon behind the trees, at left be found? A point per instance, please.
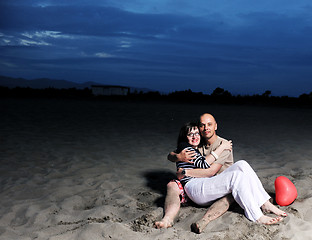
(42, 83)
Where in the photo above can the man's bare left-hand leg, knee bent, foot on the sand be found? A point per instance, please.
(172, 206)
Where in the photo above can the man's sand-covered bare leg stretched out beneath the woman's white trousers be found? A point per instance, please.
(217, 209)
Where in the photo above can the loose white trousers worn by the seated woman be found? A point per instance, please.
(240, 180)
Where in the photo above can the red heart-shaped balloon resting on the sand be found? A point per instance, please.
(285, 191)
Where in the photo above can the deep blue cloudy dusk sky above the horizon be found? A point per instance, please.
(243, 46)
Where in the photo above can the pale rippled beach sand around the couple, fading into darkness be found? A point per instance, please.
(77, 169)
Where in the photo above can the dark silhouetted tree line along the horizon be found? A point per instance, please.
(219, 95)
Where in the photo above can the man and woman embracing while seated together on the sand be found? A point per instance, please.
(206, 173)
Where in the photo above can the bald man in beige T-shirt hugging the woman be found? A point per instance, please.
(207, 128)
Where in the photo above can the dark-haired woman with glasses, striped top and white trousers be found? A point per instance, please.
(239, 179)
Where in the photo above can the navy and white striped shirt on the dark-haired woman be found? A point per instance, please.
(198, 162)
